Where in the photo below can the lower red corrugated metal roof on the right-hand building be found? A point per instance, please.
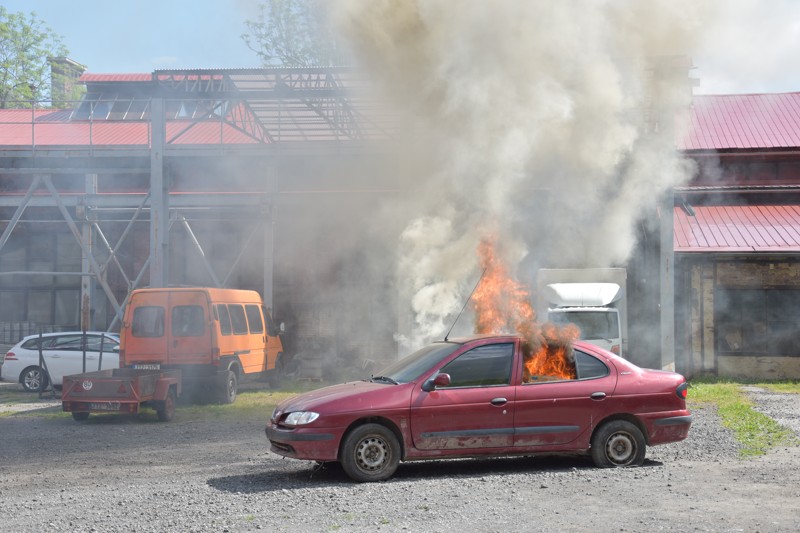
(738, 228)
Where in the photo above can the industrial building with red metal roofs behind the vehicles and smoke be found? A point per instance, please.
(226, 178)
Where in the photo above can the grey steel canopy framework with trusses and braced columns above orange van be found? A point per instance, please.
(145, 126)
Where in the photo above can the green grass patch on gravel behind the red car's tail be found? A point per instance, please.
(755, 431)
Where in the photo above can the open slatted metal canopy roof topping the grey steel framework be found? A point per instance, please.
(266, 105)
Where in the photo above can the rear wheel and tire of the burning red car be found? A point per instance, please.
(618, 443)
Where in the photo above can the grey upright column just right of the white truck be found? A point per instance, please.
(667, 292)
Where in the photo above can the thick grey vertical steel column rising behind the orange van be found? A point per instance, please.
(159, 198)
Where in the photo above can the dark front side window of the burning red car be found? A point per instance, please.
(484, 366)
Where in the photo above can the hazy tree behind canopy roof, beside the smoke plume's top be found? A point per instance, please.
(295, 33)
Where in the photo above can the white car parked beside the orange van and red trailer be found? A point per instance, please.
(63, 355)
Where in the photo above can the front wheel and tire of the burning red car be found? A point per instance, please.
(370, 453)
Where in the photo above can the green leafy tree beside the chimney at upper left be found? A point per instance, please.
(25, 46)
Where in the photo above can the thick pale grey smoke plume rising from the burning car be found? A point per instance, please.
(549, 125)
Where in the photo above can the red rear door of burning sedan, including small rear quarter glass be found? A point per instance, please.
(551, 413)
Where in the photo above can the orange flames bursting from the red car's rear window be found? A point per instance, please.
(502, 305)
